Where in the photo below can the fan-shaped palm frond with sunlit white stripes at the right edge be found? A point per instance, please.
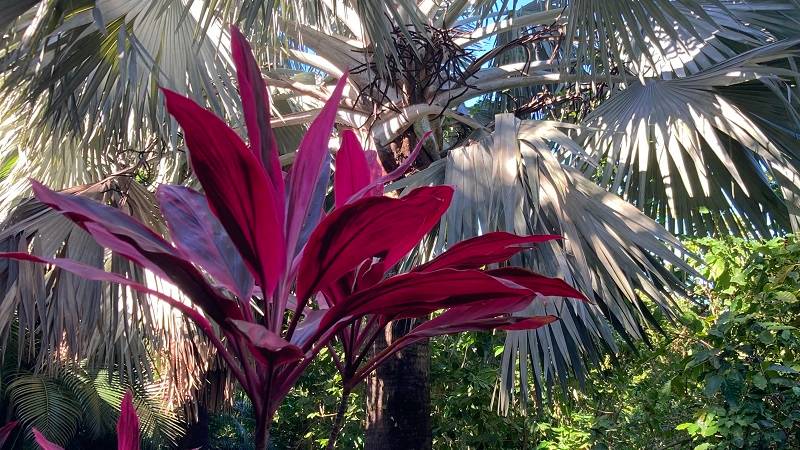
(686, 152)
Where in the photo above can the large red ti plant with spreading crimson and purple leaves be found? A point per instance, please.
(273, 279)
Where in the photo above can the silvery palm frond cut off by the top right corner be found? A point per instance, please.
(670, 38)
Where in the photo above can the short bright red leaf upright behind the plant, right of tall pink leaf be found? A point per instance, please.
(352, 170)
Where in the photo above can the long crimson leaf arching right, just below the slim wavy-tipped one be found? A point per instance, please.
(418, 293)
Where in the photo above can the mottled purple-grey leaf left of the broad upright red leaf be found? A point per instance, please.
(200, 238)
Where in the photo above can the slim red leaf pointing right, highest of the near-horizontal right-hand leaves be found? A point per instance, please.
(482, 250)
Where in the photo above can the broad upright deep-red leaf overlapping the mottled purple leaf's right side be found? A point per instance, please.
(237, 188)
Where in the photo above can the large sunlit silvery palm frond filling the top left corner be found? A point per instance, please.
(85, 76)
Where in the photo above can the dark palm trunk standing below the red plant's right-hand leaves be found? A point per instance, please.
(398, 398)
